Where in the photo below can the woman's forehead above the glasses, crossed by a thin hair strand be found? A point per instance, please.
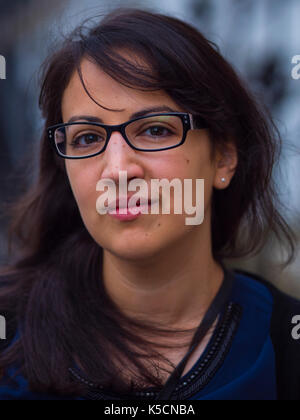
(108, 93)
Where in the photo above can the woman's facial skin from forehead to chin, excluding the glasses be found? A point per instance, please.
(148, 234)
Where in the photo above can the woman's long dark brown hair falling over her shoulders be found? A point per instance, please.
(53, 290)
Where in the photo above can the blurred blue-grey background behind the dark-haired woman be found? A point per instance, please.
(259, 37)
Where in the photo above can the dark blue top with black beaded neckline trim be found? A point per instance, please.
(238, 363)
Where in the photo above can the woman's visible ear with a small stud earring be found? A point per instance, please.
(225, 163)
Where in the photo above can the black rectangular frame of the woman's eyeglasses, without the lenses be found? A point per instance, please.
(186, 118)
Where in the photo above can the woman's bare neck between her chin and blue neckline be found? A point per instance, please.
(174, 288)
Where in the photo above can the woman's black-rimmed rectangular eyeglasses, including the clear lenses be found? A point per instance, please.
(153, 133)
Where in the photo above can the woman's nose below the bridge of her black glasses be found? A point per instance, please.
(119, 156)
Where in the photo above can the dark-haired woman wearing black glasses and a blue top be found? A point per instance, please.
(138, 305)
